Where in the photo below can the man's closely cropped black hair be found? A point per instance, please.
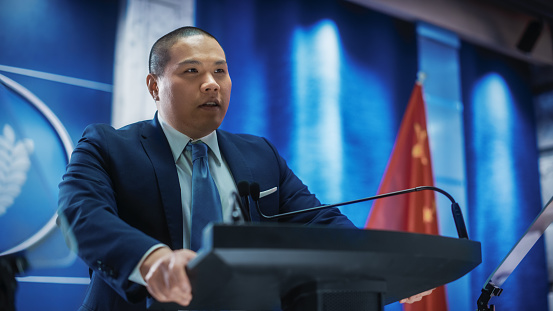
(159, 54)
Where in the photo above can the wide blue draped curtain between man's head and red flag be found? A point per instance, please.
(326, 81)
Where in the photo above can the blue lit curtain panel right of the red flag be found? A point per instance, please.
(502, 172)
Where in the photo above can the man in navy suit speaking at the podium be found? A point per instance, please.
(125, 201)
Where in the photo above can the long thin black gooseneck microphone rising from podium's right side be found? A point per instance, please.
(455, 209)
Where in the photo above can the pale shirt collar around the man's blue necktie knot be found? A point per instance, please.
(178, 141)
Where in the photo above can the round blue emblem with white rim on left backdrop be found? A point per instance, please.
(34, 151)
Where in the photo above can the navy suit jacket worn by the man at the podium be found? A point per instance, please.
(120, 196)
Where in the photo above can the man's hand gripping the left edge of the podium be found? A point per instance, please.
(165, 275)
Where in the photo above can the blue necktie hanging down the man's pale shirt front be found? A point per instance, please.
(206, 203)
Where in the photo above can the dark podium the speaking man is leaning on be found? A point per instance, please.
(268, 267)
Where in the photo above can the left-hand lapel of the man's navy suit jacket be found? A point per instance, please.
(157, 148)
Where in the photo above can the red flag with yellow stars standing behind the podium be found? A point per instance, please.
(410, 167)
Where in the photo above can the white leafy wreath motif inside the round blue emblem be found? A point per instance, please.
(14, 164)
